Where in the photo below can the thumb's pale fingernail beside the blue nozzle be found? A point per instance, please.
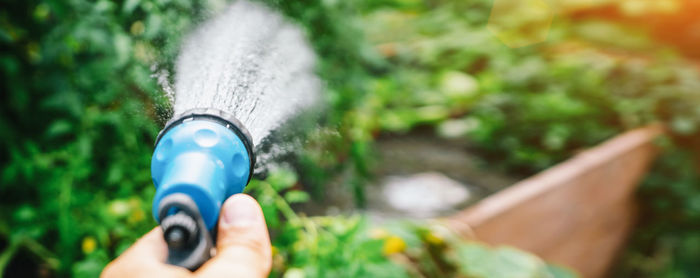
(240, 211)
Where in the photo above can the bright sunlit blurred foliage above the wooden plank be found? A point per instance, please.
(526, 108)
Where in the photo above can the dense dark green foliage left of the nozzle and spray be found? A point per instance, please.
(78, 123)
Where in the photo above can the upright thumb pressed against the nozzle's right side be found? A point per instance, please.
(243, 243)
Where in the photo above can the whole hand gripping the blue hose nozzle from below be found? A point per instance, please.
(243, 248)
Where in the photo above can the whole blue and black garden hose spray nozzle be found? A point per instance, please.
(202, 157)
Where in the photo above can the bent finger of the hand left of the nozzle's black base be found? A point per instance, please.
(144, 259)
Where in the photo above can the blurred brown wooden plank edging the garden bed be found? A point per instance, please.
(577, 213)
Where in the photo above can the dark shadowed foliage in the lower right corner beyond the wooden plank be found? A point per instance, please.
(667, 243)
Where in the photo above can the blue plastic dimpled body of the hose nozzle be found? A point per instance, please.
(204, 160)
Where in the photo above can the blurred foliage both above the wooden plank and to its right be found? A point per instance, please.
(526, 109)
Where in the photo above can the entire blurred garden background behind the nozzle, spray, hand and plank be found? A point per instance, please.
(467, 95)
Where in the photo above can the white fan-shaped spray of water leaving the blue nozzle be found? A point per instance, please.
(250, 62)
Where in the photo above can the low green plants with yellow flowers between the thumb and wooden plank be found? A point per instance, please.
(347, 246)
